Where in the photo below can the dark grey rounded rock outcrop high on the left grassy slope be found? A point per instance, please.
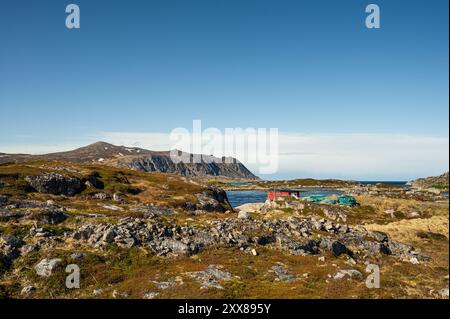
(56, 184)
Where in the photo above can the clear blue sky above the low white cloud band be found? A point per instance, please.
(149, 66)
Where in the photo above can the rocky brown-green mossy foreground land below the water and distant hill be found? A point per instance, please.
(139, 235)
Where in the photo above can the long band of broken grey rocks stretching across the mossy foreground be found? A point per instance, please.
(294, 236)
